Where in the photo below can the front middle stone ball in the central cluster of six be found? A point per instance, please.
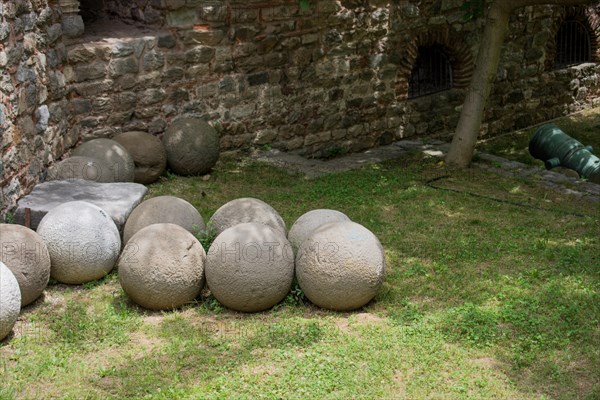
(250, 267)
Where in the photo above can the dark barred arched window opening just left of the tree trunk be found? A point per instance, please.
(431, 73)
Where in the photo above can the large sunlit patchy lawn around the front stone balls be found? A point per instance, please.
(485, 297)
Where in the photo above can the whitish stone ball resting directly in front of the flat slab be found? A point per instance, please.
(83, 242)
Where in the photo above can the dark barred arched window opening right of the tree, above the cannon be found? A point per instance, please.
(573, 45)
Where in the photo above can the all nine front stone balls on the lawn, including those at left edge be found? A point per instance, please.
(249, 267)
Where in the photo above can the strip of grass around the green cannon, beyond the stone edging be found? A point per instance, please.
(583, 126)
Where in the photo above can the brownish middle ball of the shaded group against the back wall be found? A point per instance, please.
(148, 155)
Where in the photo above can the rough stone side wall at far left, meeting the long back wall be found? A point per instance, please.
(33, 105)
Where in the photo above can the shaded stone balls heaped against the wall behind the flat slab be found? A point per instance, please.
(189, 146)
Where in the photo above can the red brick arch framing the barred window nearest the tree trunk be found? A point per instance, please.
(459, 55)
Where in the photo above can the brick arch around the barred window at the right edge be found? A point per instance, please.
(589, 17)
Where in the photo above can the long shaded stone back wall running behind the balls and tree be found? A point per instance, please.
(328, 79)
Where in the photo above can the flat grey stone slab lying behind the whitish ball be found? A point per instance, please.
(117, 199)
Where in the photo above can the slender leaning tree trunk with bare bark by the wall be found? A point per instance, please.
(463, 143)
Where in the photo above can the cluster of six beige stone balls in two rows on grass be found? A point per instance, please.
(251, 264)
